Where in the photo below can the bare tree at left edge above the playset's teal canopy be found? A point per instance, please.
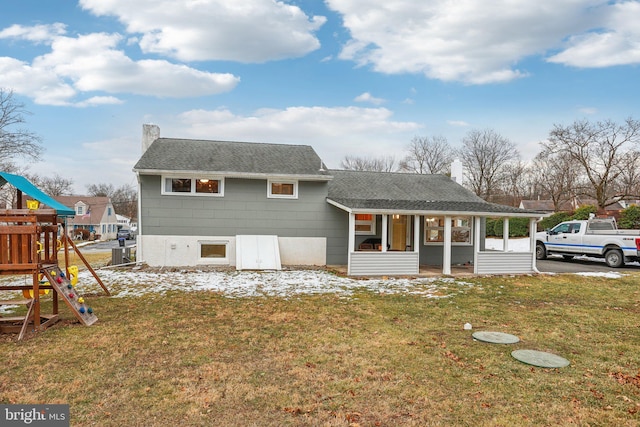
(14, 140)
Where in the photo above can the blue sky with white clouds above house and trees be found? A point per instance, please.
(349, 77)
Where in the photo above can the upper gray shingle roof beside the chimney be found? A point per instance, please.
(169, 154)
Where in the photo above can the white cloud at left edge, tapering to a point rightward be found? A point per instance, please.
(93, 62)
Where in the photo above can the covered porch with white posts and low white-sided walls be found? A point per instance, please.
(428, 242)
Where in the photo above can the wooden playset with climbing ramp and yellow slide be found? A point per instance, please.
(30, 240)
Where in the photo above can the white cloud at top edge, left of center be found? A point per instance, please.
(198, 30)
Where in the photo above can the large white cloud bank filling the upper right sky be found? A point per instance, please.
(482, 42)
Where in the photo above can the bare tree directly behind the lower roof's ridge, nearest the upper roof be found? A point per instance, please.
(428, 155)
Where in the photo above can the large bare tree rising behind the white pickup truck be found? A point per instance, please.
(602, 151)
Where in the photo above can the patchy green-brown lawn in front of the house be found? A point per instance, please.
(203, 359)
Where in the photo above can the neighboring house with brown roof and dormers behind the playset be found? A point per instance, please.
(94, 214)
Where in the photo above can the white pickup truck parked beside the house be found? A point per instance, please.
(597, 237)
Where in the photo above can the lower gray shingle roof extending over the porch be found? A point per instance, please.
(409, 192)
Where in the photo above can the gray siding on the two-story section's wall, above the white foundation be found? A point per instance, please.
(245, 209)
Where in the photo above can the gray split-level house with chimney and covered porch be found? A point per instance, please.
(205, 202)
